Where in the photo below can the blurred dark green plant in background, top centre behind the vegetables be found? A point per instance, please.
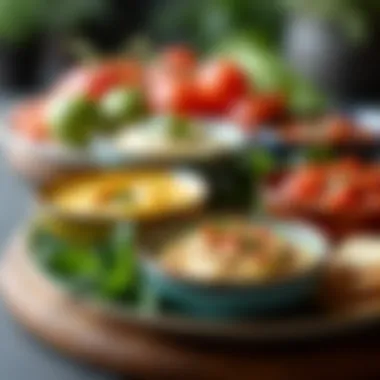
(205, 23)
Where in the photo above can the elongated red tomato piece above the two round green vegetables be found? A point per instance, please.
(95, 81)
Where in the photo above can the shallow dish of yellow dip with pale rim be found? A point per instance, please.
(78, 190)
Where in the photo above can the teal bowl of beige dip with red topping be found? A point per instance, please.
(232, 267)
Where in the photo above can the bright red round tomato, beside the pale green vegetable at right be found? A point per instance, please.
(219, 85)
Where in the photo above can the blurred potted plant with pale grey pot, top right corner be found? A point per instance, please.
(336, 43)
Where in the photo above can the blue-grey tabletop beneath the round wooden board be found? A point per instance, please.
(21, 356)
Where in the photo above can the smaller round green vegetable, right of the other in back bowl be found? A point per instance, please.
(122, 106)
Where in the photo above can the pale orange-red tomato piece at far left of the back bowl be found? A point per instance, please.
(29, 121)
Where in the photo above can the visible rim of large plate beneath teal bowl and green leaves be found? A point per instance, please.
(309, 322)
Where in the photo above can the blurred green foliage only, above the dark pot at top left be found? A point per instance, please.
(20, 20)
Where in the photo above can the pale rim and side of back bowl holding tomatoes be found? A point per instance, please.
(38, 162)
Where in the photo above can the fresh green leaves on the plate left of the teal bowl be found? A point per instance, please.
(100, 269)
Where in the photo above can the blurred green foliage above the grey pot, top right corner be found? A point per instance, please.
(354, 16)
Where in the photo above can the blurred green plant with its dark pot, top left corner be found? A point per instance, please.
(29, 28)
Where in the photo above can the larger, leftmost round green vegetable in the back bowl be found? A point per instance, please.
(73, 119)
